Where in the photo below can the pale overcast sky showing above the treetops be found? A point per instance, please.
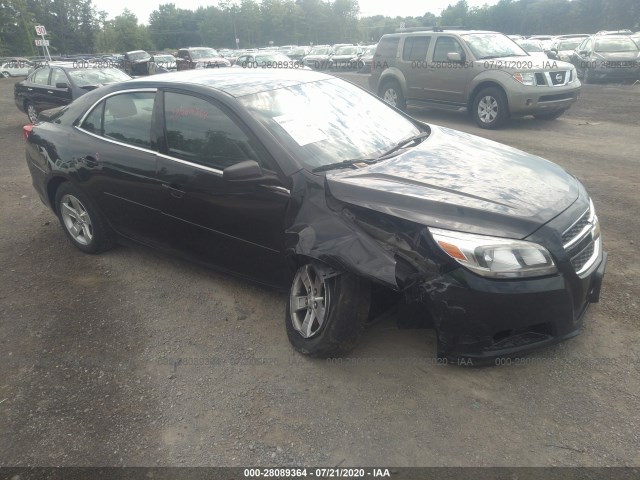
(403, 8)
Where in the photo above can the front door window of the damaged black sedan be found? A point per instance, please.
(202, 133)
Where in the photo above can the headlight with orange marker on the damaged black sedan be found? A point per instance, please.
(495, 257)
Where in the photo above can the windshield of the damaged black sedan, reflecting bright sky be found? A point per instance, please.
(329, 121)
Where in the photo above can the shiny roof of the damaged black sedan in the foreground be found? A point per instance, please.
(238, 82)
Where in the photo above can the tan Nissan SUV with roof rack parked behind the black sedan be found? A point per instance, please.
(483, 72)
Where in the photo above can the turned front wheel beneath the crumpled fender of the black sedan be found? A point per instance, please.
(326, 317)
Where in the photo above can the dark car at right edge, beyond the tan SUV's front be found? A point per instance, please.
(607, 57)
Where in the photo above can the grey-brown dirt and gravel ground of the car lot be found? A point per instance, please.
(89, 345)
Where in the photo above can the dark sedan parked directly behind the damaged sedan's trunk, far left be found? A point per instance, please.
(57, 84)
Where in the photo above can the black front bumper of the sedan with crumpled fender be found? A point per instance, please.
(482, 319)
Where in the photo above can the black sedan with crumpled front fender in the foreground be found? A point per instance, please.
(304, 181)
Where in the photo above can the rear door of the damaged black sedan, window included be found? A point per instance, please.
(118, 164)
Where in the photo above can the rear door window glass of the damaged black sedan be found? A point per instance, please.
(127, 118)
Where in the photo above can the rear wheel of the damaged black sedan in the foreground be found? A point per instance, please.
(75, 210)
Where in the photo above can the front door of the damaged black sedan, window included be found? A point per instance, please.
(238, 227)
